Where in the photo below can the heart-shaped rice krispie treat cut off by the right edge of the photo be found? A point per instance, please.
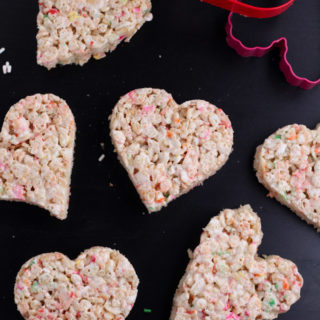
(288, 165)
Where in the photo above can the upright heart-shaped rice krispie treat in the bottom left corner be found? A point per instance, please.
(100, 284)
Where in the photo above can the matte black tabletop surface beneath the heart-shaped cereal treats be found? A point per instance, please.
(183, 51)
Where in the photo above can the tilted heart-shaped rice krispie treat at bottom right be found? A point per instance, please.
(225, 278)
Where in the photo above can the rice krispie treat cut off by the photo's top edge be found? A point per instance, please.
(71, 31)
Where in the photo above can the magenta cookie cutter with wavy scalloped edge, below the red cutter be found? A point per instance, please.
(284, 64)
